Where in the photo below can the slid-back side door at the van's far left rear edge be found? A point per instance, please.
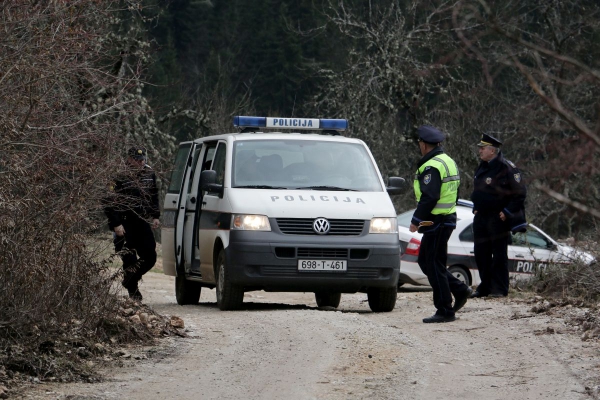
(169, 236)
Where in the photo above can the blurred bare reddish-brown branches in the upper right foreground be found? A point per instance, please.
(544, 54)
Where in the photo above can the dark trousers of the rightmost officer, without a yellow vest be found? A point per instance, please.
(491, 253)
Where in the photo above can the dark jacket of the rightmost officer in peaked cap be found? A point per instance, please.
(498, 186)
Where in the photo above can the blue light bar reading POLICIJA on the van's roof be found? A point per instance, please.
(290, 123)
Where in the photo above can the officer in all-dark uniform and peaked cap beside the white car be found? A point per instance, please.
(499, 207)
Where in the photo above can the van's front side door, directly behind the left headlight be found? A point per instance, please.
(215, 215)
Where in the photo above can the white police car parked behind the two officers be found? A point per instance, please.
(528, 251)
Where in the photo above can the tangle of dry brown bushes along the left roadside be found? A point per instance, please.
(70, 104)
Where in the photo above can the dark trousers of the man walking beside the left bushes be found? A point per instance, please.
(137, 250)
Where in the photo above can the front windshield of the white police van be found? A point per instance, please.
(303, 164)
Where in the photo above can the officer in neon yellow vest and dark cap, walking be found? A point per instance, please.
(436, 188)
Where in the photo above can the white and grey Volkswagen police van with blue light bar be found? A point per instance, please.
(302, 211)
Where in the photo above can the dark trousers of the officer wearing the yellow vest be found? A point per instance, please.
(433, 255)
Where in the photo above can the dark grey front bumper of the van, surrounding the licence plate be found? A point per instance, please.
(269, 261)
